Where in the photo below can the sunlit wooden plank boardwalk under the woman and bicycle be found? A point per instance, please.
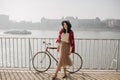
(12, 74)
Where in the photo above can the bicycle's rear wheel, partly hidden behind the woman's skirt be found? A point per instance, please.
(77, 63)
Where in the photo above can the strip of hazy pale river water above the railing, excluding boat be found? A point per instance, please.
(77, 34)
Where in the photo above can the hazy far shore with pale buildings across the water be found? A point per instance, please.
(55, 24)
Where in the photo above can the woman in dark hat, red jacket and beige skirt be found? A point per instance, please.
(66, 46)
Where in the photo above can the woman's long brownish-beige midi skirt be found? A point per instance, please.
(64, 59)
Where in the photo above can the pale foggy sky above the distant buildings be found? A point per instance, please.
(34, 10)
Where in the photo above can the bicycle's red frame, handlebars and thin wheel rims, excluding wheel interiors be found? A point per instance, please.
(48, 53)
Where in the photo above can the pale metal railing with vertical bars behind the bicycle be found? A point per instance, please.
(96, 53)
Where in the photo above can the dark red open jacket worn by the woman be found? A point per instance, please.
(71, 39)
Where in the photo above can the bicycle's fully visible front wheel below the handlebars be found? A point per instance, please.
(41, 61)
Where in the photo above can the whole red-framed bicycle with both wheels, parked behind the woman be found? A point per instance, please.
(43, 59)
